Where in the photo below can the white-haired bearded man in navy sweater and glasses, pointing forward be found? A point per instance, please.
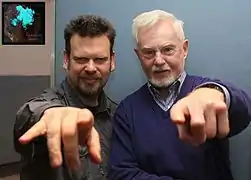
(175, 127)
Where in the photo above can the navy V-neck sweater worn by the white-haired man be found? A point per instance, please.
(145, 143)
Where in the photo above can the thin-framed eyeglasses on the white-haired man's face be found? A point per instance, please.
(150, 53)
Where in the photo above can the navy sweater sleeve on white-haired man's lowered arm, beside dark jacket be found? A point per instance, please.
(123, 163)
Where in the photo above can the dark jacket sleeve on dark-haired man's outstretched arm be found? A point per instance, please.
(34, 155)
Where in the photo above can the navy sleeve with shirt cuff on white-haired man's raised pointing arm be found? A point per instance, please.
(239, 105)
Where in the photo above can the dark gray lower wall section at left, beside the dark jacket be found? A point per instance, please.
(15, 90)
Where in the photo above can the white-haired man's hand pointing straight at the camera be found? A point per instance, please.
(201, 115)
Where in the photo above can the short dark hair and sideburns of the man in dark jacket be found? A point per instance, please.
(89, 26)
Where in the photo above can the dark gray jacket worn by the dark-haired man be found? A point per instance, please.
(35, 155)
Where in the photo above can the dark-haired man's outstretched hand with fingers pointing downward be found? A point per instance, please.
(72, 126)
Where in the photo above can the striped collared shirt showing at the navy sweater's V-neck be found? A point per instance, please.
(166, 101)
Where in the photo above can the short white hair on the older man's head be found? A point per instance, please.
(151, 17)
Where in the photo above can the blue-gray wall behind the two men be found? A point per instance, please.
(220, 43)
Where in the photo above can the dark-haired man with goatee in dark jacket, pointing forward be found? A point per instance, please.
(50, 127)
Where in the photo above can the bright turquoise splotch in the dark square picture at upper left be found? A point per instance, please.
(25, 17)
